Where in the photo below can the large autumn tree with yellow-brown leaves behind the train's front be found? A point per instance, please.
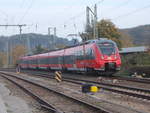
(106, 29)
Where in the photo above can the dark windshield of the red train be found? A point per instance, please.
(107, 48)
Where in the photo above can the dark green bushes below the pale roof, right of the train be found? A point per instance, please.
(138, 62)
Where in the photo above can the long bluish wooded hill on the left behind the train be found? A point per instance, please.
(32, 40)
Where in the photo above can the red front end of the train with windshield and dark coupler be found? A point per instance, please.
(109, 56)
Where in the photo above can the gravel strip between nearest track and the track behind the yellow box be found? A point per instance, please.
(74, 91)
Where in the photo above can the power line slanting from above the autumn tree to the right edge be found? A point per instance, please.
(130, 13)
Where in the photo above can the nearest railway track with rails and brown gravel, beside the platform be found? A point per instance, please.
(45, 95)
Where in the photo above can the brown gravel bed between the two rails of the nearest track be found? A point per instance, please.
(62, 103)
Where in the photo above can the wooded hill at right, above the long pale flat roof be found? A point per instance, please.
(140, 35)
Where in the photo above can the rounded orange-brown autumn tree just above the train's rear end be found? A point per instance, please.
(17, 52)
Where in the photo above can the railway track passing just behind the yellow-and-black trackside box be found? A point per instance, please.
(121, 89)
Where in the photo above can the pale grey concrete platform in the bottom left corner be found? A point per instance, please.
(10, 103)
